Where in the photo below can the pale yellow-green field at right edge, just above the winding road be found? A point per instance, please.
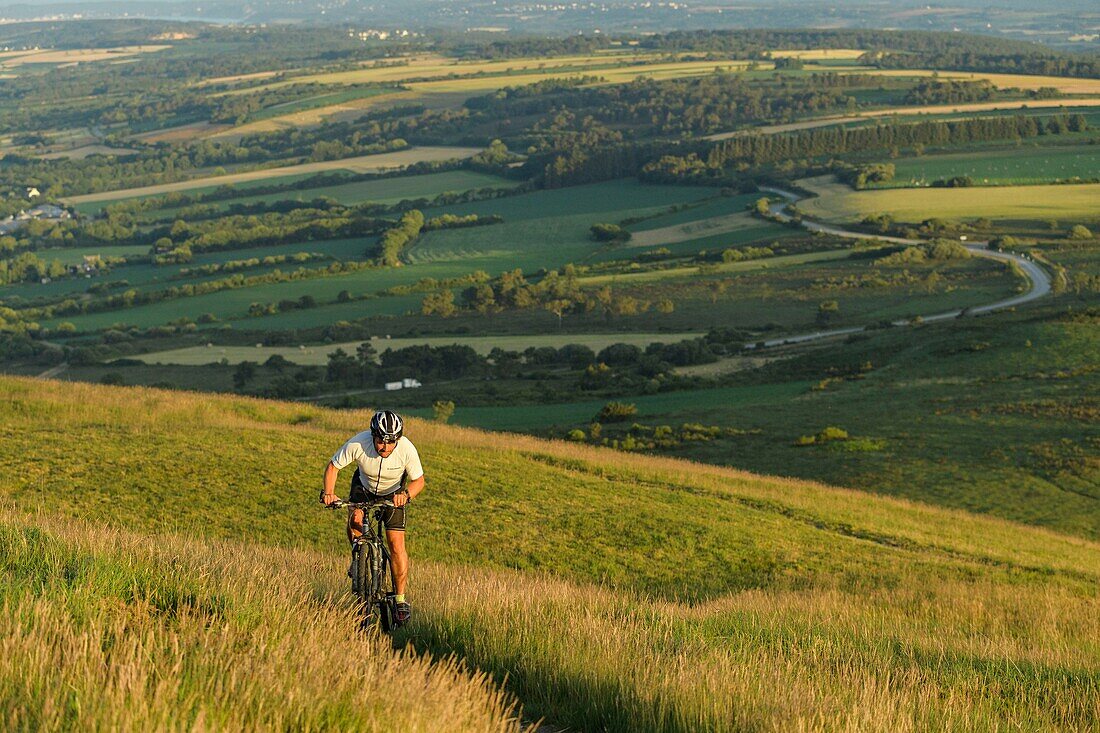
(839, 202)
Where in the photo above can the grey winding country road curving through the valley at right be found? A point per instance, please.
(1039, 278)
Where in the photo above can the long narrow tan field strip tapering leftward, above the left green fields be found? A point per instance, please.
(360, 165)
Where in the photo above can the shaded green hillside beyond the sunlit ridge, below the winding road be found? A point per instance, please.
(991, 415)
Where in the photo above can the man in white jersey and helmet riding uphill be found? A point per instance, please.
(389, 467)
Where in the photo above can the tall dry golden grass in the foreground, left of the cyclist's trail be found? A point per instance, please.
(106, 630)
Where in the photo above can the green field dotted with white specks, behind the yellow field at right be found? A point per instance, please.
(1006, 168)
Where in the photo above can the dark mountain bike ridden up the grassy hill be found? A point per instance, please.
(372, 578)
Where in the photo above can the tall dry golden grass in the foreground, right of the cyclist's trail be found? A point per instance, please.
(947, 657)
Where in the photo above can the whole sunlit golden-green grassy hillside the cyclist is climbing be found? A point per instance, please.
(608, 592)
